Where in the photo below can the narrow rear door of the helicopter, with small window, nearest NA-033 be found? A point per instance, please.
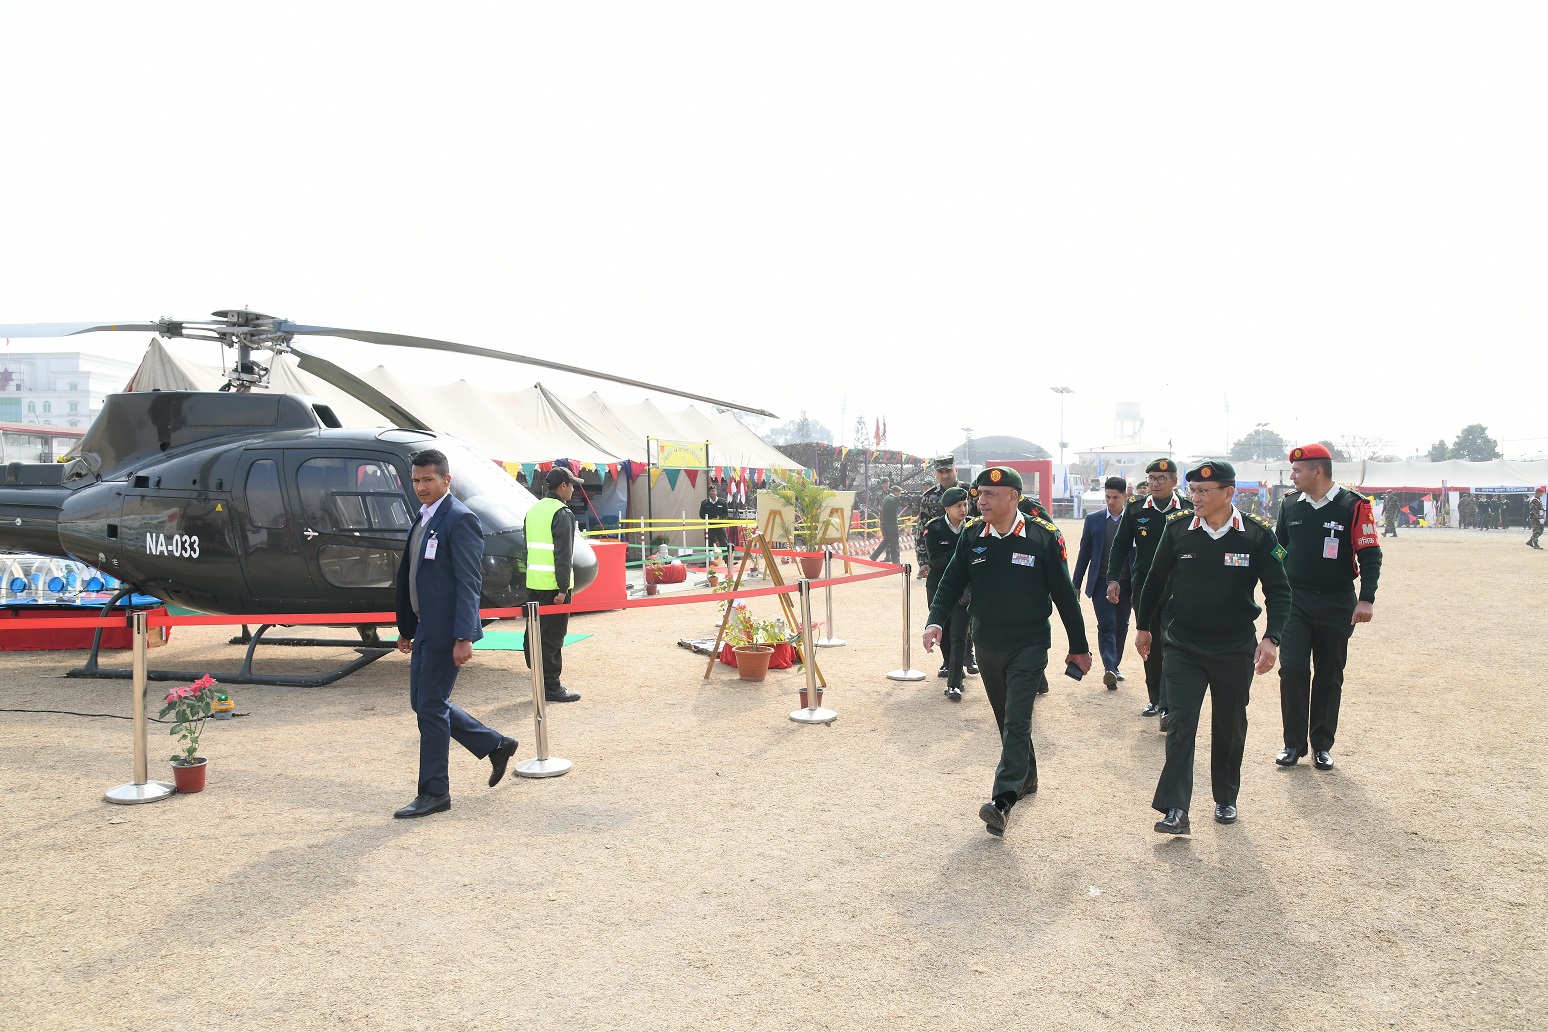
(270, 538)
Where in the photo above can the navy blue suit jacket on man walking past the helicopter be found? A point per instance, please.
(450, 584)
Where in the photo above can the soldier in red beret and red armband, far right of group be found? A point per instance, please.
(1331, 538)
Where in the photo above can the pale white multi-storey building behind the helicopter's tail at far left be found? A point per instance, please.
(61, 389)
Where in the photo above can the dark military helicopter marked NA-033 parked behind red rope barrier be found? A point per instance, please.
(252, 504)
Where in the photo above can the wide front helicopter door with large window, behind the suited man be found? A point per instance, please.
(357, 519)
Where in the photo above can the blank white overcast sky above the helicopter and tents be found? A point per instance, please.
(1332, 214)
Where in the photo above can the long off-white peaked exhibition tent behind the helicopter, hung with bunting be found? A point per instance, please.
(522, 429)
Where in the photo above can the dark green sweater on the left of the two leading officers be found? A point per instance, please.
(1016, 584)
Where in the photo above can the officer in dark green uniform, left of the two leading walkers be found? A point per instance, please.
(1018, 570)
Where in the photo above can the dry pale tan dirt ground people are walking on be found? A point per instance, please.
(708, 864)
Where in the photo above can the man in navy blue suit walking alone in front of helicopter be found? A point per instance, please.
(439, 584)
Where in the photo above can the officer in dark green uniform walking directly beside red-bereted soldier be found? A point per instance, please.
(1210, 564)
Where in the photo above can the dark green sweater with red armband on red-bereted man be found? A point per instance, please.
(1327, 547)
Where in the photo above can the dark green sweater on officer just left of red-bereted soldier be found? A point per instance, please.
(1211, 584)
